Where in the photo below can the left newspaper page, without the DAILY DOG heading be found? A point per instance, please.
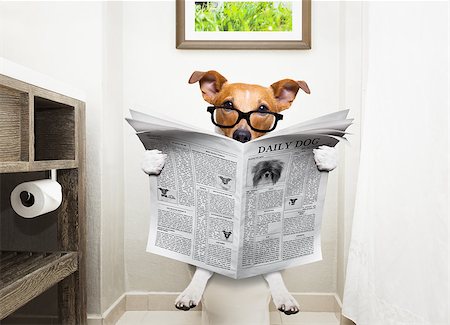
(196, 200)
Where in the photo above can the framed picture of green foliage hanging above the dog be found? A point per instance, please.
(247, 24)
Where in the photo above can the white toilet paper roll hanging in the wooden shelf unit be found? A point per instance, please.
(32, 199)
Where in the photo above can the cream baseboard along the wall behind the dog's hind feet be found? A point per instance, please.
(164, 301)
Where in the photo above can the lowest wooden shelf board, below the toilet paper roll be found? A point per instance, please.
(25, 275)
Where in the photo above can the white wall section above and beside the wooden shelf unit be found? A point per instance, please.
(69, 42)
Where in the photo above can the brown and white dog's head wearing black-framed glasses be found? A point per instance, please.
(246, 97)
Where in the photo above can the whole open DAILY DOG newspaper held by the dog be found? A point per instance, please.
(238, 209)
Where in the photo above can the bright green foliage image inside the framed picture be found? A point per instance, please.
(243, 16)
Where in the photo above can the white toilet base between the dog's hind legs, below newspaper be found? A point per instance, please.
(227, 301)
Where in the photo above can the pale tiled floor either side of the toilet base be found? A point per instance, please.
(194, 318)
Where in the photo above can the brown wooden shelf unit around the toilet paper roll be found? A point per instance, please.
(41, 130)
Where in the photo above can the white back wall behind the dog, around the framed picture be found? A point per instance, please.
(155, 78)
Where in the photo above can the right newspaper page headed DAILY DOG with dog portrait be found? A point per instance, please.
(284, 193)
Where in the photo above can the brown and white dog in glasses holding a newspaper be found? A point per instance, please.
(246, 98)
